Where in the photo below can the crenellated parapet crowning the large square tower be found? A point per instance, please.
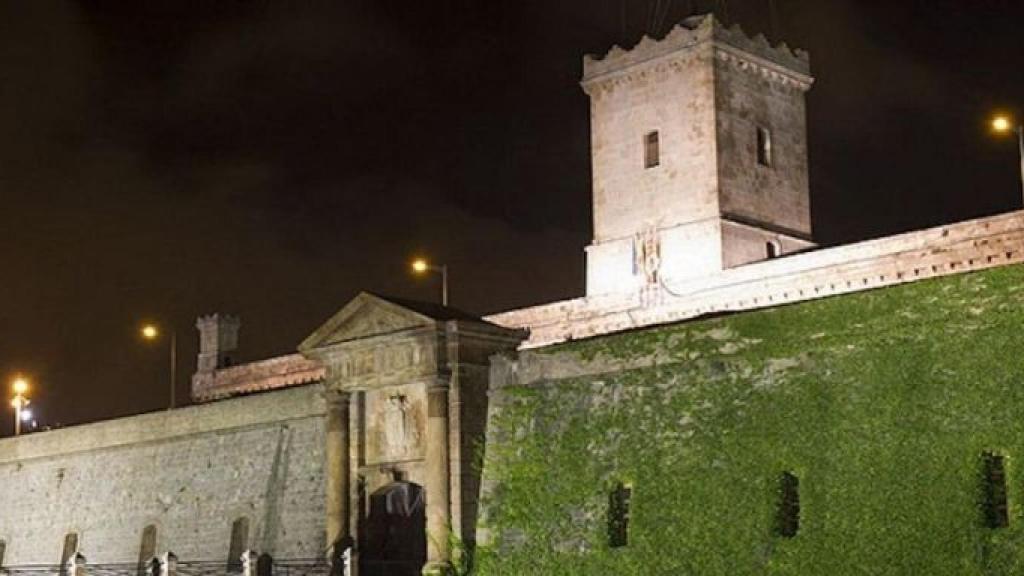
(730, 45)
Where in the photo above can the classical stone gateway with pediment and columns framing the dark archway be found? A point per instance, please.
(417, 378)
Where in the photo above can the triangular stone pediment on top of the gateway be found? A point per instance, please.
(366, 316)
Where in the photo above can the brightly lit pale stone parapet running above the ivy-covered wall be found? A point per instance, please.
(933, 253)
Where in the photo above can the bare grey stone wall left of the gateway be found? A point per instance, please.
(191, 473)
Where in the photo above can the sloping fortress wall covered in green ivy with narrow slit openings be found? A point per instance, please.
(881, 403)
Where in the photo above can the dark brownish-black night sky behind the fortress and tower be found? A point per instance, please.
(167, 159)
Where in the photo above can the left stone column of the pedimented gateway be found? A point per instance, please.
(337, 471)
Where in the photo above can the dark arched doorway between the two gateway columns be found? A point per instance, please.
(394, 542)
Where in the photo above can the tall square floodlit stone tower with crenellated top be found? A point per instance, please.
(700, 156)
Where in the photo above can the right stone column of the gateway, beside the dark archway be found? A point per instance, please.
(439, 506)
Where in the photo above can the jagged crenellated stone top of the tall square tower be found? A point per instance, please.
(693, 32)
